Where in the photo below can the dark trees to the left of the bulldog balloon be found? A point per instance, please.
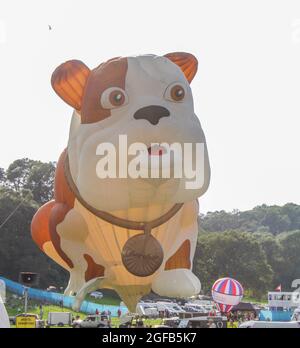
(25, 185)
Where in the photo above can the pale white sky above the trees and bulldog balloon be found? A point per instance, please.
(246, 91)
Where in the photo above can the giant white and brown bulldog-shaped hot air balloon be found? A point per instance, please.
(124, 214)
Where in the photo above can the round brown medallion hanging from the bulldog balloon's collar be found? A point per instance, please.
(142, 255)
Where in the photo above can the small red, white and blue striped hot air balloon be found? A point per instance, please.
(227, 292)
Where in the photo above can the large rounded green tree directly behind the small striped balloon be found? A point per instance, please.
(234, 254)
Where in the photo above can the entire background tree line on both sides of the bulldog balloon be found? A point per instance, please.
(259, 247)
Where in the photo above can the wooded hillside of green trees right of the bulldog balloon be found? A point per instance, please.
(259, 247)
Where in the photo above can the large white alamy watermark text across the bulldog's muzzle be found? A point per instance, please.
(154, 161)
